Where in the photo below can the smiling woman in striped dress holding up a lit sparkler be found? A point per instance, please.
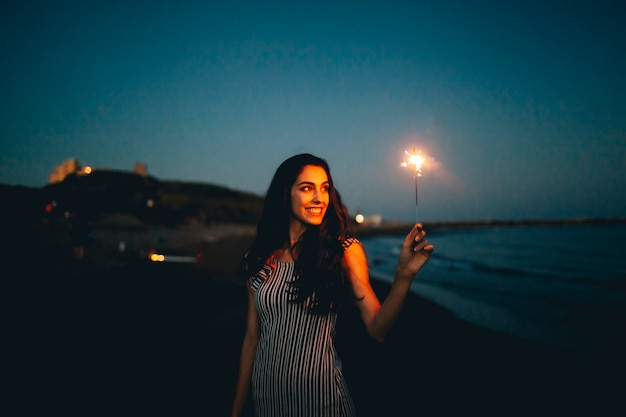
(302, 267)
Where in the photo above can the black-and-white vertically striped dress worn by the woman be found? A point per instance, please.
(296, 370)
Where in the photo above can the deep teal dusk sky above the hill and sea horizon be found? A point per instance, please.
(521, 105)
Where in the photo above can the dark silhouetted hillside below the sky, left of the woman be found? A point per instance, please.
(152, 201)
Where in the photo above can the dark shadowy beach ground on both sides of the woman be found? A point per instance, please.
(116, 334)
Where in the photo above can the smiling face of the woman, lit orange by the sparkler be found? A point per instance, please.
(309, 195)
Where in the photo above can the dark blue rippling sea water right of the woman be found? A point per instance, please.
(558, 285)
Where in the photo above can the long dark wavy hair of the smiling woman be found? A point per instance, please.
(320, 282)
